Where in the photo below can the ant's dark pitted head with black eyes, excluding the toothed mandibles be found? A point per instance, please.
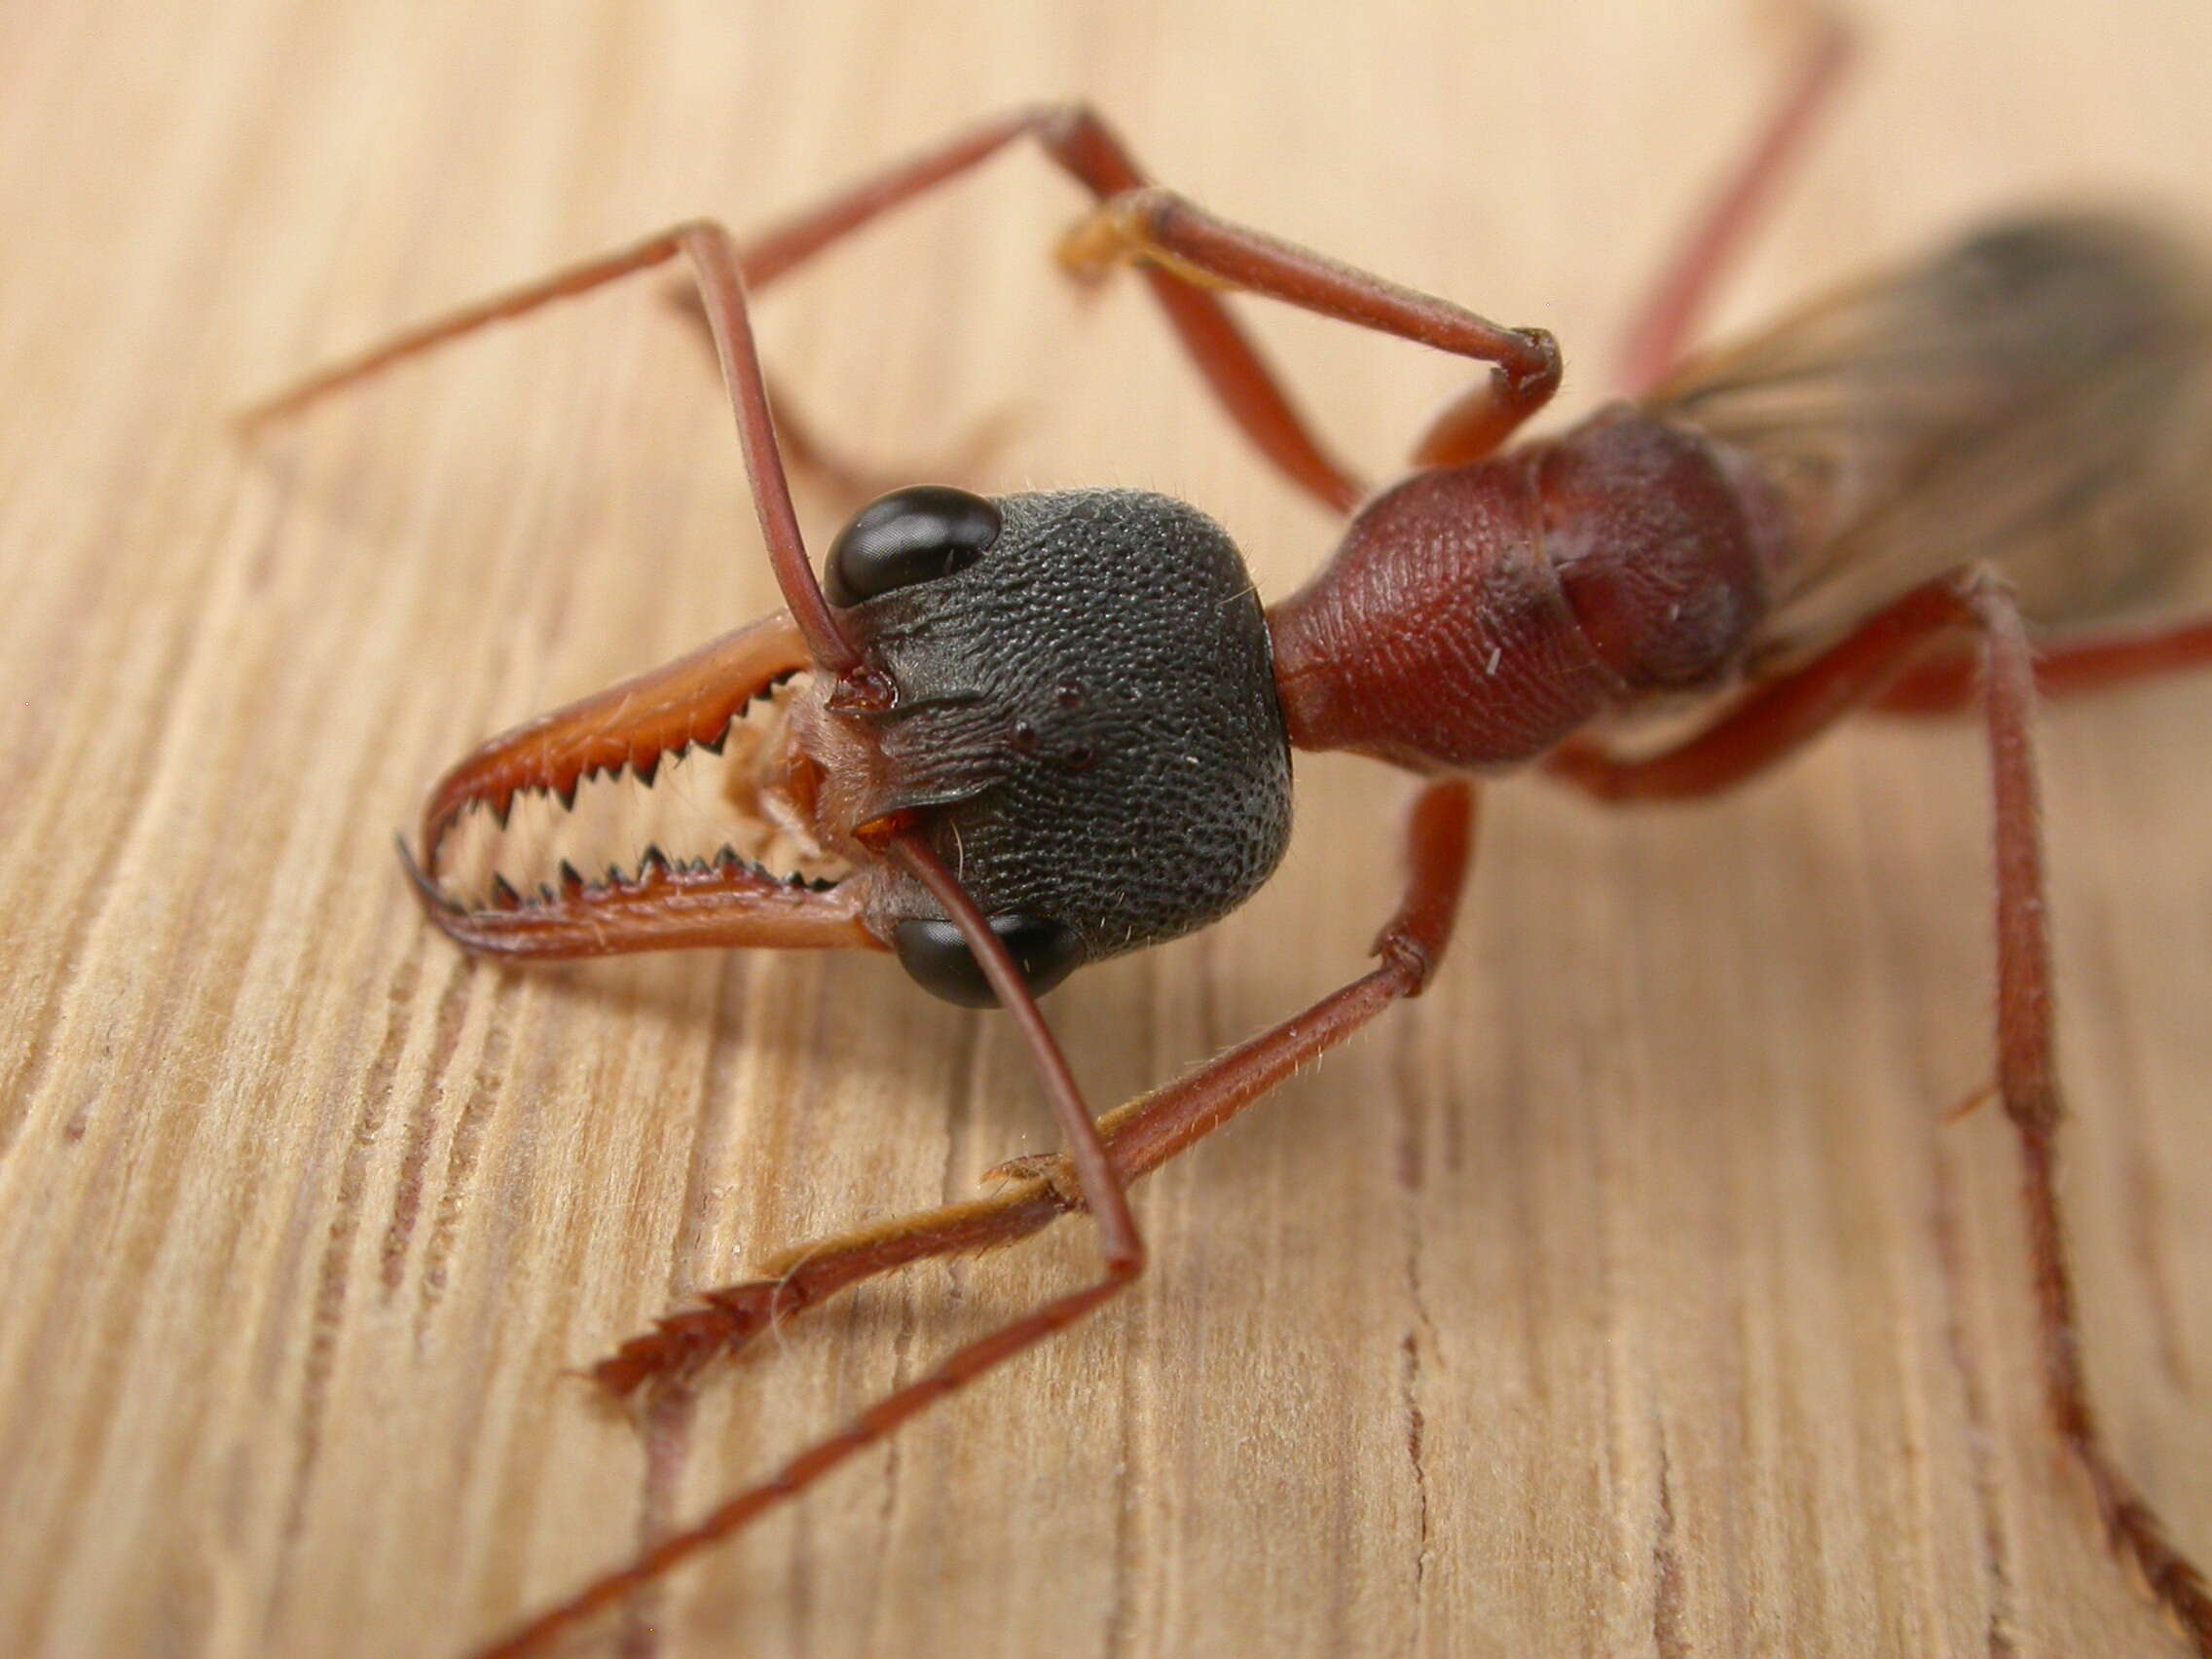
(1083, 724)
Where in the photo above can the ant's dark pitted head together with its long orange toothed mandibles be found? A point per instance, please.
(1065, 700)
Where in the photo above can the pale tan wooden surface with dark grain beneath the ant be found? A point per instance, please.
(1625, 1297)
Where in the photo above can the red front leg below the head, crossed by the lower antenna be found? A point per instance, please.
(1140, 1136)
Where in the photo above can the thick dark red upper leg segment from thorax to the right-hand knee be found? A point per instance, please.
(1773, 722)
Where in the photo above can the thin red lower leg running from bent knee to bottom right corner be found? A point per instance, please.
(2027, 1085)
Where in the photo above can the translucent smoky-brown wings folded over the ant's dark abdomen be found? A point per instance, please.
(2038, 397)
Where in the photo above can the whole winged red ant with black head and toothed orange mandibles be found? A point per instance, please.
(1047, 729)
